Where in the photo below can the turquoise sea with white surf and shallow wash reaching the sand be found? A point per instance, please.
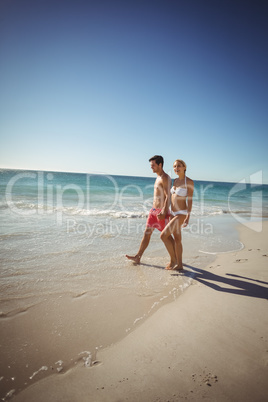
(66, 235)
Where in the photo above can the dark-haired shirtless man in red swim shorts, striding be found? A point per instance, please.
(159, 214)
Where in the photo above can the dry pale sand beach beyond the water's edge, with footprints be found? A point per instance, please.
(209, 344)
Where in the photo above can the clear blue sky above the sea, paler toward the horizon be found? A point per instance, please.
(101, 86)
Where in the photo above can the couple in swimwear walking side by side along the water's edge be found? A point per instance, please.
(168, 221)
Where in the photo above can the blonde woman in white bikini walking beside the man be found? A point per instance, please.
(181, 206)
